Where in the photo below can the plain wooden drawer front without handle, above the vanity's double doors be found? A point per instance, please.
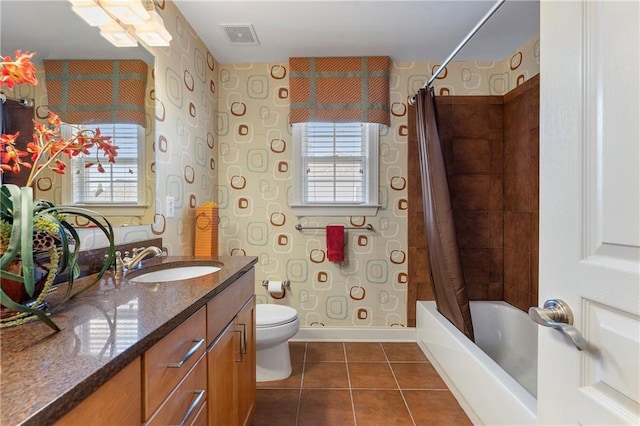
(224, 307)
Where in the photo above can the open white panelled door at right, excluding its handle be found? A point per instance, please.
(590, 210)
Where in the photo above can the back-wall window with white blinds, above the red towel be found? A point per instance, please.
(336, 166)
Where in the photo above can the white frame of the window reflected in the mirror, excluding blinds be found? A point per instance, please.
(112, 209)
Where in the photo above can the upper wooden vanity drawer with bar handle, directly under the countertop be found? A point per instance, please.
(162, 367)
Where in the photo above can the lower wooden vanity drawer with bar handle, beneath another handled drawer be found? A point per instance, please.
(184, 404)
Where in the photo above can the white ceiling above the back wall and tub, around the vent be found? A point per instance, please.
(418, 30)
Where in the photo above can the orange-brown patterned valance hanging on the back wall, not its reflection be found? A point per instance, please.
(339, 90)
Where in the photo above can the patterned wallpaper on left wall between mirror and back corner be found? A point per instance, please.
(186, 143)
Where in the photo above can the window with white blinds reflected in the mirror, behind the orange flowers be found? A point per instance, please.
(122, 185)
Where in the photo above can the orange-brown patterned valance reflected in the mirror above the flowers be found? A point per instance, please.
(97, 91)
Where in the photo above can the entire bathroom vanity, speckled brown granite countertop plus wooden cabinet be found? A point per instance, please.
(178, 352)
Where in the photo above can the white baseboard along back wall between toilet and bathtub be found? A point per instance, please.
(355, 334)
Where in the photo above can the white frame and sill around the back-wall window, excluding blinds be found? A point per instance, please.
(367, 208)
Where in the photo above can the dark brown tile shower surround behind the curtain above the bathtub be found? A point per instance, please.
(490, 146)
